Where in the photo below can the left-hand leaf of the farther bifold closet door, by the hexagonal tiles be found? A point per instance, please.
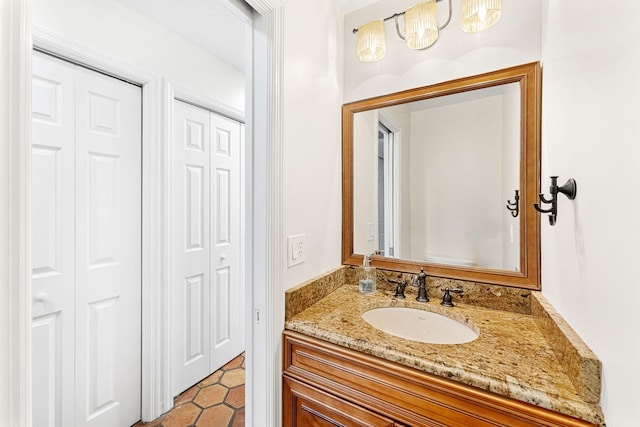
(190, 246)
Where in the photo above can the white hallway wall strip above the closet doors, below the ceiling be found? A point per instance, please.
(110, 27)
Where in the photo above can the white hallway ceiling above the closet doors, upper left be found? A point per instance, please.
(201, 22)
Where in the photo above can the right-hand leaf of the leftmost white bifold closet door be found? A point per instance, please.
(108, 250)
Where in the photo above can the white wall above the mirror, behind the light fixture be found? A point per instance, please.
(514, 40)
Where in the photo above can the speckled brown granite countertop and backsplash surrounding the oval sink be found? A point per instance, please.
(512, 356)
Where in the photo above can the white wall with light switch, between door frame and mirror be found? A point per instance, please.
(312, 134)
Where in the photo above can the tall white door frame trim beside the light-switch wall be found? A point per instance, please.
(265, 231)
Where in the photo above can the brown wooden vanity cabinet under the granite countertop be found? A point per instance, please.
(329, 385)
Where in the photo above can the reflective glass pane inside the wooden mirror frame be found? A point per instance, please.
(433, 182)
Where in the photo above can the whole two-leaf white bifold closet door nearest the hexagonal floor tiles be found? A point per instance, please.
(207, 287)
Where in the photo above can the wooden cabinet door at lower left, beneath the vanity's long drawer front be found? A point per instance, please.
(306, 406)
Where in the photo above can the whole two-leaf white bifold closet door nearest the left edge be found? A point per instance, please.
(86, 247)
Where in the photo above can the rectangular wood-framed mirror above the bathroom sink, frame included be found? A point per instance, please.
(444, 177)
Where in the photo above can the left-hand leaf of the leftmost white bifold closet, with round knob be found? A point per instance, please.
(52, 243)
